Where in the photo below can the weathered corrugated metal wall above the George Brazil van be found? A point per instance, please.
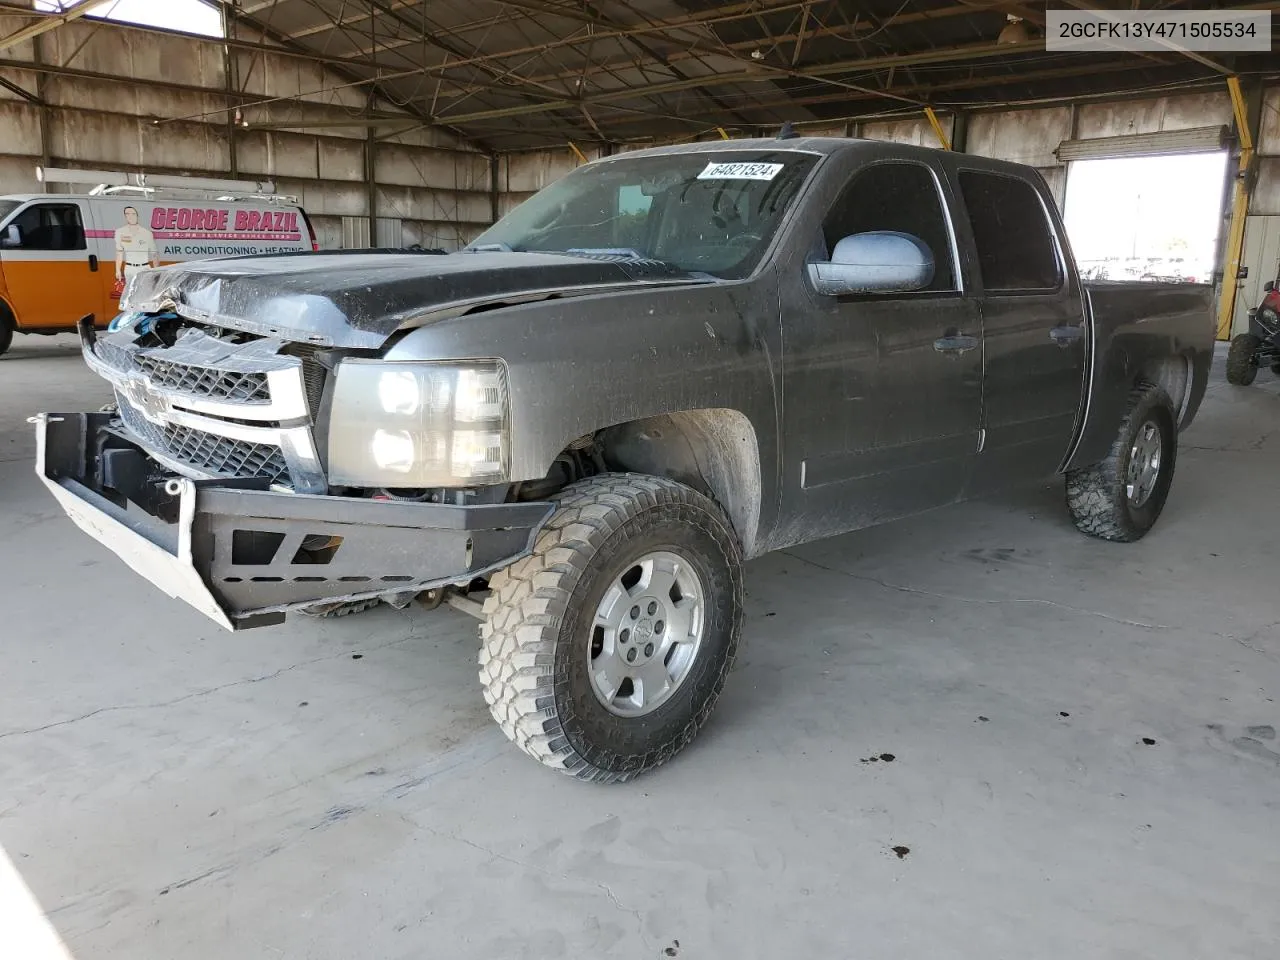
(124, 79)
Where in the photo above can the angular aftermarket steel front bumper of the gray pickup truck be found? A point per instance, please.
(237, 555)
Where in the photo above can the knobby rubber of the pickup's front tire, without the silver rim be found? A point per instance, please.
(538, 632)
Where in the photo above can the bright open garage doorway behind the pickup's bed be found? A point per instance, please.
(1146, 218)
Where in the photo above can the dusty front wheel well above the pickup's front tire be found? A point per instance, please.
(714, 451)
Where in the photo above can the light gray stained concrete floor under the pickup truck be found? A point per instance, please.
(1085, 761)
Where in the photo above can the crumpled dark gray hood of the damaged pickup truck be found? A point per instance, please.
(360, 299)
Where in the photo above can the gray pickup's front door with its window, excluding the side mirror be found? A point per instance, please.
(884, 391)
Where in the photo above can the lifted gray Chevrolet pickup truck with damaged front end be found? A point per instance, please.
(662, 365)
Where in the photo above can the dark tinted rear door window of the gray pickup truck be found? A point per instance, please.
(1012, 232)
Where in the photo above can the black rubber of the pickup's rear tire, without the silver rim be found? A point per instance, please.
(1099, 497)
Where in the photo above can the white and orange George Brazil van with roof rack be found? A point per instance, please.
(65, 257)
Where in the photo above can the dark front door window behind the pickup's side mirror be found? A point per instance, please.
(902, 198)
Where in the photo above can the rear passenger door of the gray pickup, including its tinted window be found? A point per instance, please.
(1035, 333)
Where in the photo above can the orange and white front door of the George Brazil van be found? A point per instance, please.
(52, 276)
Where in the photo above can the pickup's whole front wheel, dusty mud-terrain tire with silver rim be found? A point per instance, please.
(605, 651)
